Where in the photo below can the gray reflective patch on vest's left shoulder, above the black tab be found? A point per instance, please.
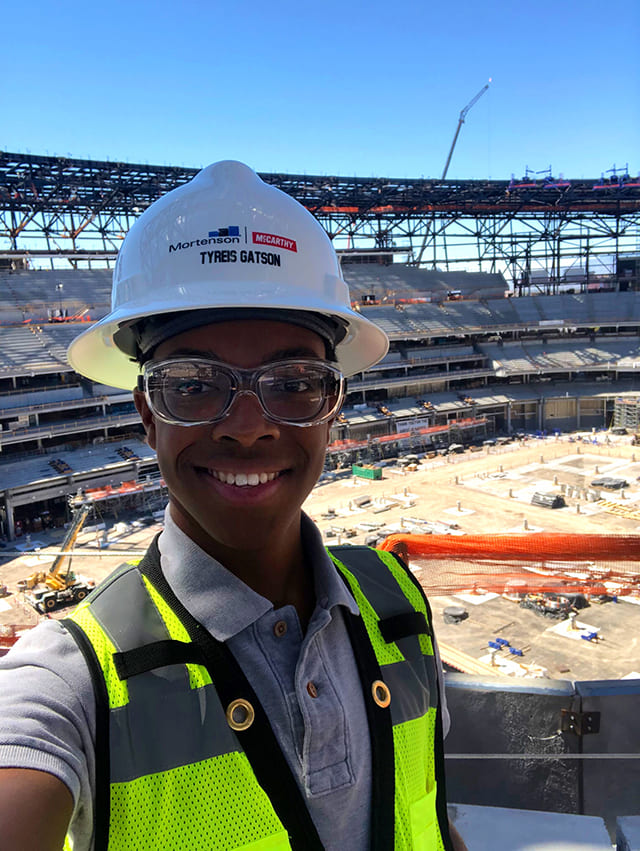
(127, 613)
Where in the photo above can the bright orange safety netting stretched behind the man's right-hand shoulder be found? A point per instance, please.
(522, 562)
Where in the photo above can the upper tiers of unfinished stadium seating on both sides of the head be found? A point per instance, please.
(436, 345)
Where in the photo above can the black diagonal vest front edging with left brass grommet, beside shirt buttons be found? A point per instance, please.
(258, 741)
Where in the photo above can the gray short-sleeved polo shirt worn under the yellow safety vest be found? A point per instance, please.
(308, 685)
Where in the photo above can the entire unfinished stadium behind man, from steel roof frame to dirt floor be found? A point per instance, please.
(507, 406)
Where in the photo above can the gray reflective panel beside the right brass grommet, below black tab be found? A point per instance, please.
(413, 688)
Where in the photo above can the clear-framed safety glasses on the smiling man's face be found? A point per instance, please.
(198, 391)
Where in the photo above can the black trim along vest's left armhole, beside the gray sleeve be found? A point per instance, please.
(102, 811)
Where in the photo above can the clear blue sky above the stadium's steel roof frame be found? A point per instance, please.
(351, 88)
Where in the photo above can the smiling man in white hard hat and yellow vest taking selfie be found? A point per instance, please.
(241, 687)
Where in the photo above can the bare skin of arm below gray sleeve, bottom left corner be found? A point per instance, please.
(35, 810)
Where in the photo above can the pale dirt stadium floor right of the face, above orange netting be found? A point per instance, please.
(491, 490)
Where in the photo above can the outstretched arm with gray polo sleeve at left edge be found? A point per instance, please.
(46, 742)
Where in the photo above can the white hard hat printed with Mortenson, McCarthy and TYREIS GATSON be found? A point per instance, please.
(224, 240)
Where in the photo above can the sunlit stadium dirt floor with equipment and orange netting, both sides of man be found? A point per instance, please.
(516, 588)
